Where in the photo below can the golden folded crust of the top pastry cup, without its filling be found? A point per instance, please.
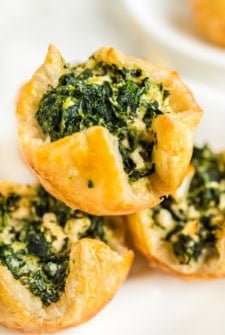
(64, 166)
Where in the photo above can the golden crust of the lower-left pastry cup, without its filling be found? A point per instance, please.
(96, 271)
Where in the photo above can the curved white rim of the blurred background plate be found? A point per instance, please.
(170, 37)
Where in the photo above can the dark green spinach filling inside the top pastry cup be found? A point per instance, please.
(121, 100)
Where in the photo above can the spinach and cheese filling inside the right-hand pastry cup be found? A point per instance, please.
(198, 218)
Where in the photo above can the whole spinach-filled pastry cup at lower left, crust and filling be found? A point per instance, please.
(58, 266)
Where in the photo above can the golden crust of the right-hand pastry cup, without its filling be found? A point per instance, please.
(150, 241)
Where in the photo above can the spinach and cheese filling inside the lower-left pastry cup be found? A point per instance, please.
(29, 247)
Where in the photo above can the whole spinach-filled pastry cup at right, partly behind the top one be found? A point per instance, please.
(185, 234)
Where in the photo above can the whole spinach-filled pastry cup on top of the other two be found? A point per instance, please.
(109, 136)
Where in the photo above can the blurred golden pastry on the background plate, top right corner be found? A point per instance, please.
(209, 19)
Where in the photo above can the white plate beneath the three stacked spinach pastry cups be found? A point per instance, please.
(151, 302)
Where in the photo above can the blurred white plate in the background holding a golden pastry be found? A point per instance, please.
(168, 26)
